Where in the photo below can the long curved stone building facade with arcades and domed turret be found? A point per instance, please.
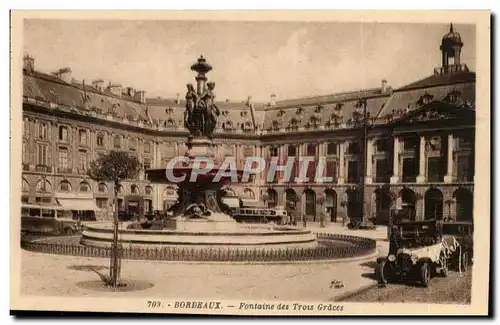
(416, 155)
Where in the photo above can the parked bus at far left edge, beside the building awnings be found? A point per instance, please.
(48, 219)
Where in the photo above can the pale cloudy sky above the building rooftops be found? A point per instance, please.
(289, 59)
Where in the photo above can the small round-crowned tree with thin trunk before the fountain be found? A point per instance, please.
(115, 166)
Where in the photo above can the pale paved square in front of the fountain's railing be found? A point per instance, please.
(44, 274)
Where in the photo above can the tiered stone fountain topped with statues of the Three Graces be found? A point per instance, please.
(200, 220)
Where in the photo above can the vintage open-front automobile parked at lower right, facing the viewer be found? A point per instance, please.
(417, 250)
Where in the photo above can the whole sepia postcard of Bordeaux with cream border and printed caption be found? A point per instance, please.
(251, 163)
